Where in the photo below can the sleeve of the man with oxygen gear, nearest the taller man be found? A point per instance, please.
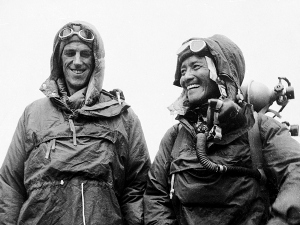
(158, 206)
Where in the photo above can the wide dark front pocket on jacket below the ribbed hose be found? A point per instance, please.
(204, 188)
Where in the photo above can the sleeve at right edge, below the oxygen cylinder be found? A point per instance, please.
(282, 155)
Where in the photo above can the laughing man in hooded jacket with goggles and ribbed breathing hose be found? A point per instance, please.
(204, 171)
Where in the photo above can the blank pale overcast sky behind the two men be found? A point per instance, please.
(140, 39)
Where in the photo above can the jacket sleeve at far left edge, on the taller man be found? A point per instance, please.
(12, 190)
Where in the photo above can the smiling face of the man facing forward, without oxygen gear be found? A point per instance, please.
(78, 64)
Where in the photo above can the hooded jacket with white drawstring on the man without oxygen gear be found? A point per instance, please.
(79, 159)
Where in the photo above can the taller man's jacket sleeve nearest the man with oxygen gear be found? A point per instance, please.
(138, 164)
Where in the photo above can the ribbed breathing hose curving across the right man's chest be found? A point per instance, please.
(218, 168)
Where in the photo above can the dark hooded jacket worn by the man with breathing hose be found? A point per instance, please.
(203, 197)
